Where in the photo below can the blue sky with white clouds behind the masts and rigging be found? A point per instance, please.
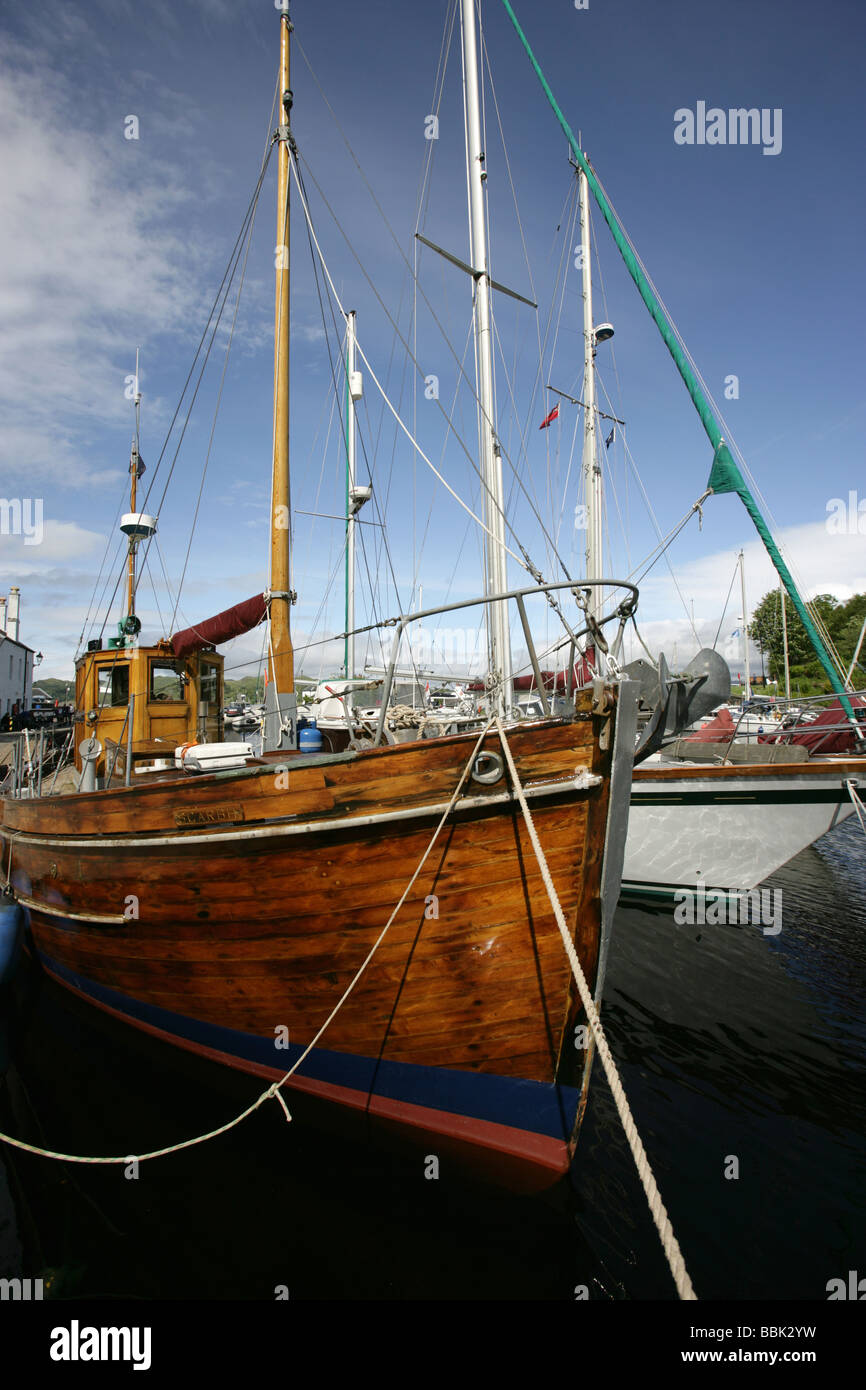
(112, 244)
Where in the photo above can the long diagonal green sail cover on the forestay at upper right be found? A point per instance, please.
(725, 475)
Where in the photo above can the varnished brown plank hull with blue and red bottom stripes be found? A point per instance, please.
(259, 901)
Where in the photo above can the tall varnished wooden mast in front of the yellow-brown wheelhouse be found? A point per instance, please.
(280, 698)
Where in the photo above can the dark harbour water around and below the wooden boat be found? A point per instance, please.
(732, 1045)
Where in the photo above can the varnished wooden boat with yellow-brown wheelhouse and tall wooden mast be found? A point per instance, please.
(220, 908)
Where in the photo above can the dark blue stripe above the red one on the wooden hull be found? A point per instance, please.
(536, 1107)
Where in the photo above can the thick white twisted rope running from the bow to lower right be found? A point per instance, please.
(657, 1206)
